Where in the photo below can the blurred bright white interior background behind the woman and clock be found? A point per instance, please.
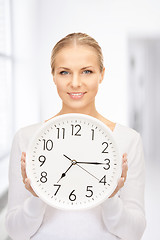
(128, 32)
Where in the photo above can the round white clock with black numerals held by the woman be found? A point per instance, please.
(73, 162)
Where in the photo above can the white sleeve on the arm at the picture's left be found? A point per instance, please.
(25, 212)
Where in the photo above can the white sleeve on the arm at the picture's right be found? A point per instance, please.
(123, 214)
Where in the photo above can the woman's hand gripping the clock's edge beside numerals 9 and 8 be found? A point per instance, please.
(26, 181)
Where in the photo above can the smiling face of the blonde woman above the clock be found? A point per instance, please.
(77, 76)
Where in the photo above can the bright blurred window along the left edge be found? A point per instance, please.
(6, 62)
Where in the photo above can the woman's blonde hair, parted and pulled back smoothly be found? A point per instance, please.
(79, 39)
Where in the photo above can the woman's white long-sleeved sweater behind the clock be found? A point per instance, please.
(120, 217)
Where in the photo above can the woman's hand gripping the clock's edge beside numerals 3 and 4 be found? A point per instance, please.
(123, 176)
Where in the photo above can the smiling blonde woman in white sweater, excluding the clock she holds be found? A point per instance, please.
(77, 69)
